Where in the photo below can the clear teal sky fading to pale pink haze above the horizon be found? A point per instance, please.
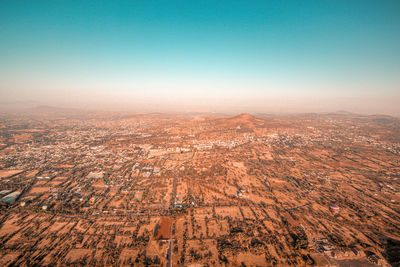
(239, 56)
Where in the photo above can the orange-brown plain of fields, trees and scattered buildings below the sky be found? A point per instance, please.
(121, 189)
